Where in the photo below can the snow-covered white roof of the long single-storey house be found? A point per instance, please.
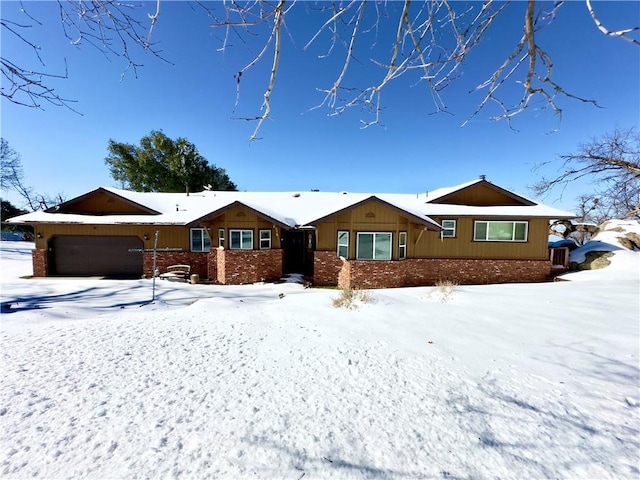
(290, 209)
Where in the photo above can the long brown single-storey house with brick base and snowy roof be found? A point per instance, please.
(473, 233)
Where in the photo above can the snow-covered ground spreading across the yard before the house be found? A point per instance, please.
(272, 381)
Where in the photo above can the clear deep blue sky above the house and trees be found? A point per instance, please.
(301, 148)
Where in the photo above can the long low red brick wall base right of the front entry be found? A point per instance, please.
(427, 271)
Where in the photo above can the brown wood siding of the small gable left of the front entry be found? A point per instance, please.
(238, 218)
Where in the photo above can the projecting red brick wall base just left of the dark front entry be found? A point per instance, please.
(248, 266)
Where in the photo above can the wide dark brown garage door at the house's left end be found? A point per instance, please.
(81, 255)
